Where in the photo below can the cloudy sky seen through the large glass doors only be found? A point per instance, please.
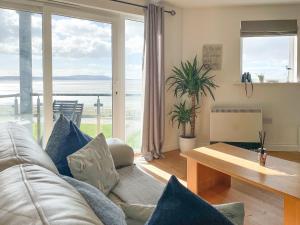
(80, 47)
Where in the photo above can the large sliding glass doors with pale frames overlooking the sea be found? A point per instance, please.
(87, 65)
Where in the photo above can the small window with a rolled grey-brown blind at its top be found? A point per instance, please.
(269, 51)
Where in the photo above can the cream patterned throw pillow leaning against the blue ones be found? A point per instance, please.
(94, 164)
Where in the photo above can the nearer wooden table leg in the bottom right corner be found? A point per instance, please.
(291, 211)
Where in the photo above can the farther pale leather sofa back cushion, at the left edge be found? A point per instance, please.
(17, 146)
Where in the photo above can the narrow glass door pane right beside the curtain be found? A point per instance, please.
(134, 36)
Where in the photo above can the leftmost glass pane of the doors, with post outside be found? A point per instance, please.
(21, 72)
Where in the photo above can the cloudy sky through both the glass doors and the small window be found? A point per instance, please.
(83, 47)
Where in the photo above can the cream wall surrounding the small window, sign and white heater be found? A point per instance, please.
(279, 102)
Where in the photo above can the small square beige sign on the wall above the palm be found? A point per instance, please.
(212, 55)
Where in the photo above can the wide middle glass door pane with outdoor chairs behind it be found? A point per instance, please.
(82, 71)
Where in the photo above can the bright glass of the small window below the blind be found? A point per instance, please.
(270, 57)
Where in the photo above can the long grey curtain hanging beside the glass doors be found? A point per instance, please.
(153, 119)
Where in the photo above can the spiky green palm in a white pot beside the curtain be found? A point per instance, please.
(192, 81)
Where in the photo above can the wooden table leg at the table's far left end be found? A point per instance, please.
(201, 178)
